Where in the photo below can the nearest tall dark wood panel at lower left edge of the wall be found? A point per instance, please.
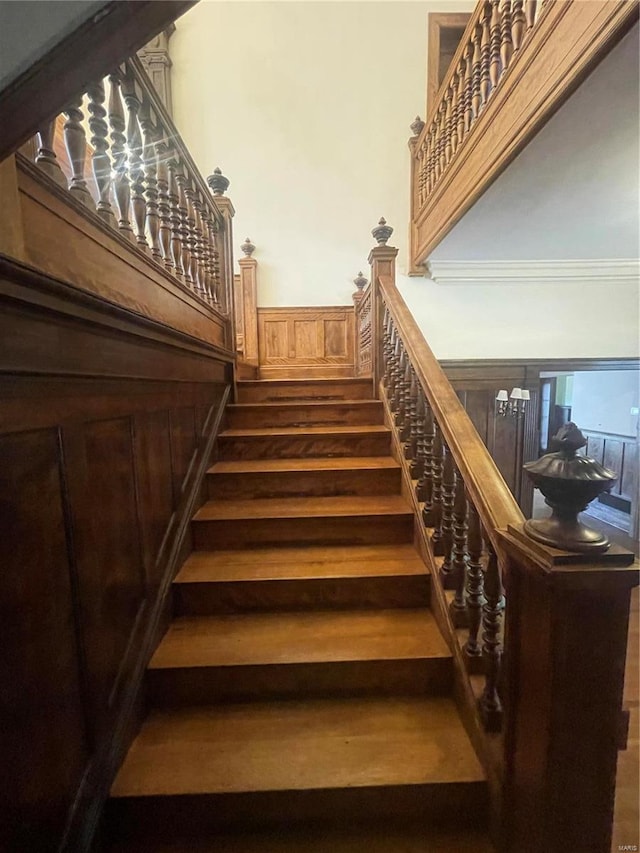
(42, 736)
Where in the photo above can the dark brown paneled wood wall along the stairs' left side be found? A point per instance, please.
(104, 430)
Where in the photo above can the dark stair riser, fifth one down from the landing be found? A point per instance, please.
(232, 534)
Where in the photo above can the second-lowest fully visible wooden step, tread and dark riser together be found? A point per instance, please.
(321, 653)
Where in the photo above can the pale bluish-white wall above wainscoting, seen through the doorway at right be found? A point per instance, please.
(603, 401)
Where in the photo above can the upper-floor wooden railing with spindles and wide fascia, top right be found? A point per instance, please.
(516, 63)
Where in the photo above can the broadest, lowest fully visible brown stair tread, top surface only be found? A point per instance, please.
(301, 745)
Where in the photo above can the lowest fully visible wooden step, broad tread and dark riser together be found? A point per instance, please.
(282, 762)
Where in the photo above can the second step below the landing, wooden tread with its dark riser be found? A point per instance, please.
(296, 442)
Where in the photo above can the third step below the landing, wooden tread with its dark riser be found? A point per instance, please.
(266, 478)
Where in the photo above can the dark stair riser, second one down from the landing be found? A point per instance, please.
(286, 415)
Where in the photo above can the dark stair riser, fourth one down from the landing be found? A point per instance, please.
(285, 484)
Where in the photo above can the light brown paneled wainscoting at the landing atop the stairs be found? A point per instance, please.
(306, 342)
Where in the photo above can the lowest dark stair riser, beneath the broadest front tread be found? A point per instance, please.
(444, 804)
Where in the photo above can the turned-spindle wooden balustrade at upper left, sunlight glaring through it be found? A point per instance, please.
(146, 186)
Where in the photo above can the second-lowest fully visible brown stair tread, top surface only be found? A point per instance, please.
(296, 638)
